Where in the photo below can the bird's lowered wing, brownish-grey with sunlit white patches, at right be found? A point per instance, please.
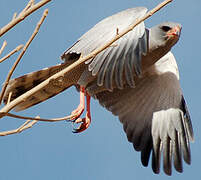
(155, 116)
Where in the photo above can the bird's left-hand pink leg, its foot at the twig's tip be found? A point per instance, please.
(77, 112)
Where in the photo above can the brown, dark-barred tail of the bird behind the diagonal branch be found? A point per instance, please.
(24, 83)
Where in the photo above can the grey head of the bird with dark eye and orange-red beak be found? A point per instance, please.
(166, 33)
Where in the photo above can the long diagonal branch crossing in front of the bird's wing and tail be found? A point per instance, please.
(20, 99)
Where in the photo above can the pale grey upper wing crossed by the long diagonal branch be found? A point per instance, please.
(121, 57)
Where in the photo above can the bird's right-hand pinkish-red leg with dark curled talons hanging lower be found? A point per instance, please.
(85, 122)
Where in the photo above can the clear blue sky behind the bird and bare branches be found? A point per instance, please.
(50, 150)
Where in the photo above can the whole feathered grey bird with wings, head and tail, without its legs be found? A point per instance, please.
(136, 78)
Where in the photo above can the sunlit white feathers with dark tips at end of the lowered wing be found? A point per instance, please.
(170, 136)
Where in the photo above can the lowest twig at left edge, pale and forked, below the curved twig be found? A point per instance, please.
(28, 124)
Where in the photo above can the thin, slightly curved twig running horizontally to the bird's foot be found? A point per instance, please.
(40, 119)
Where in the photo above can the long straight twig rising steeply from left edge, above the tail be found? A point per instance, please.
(22, 53)
